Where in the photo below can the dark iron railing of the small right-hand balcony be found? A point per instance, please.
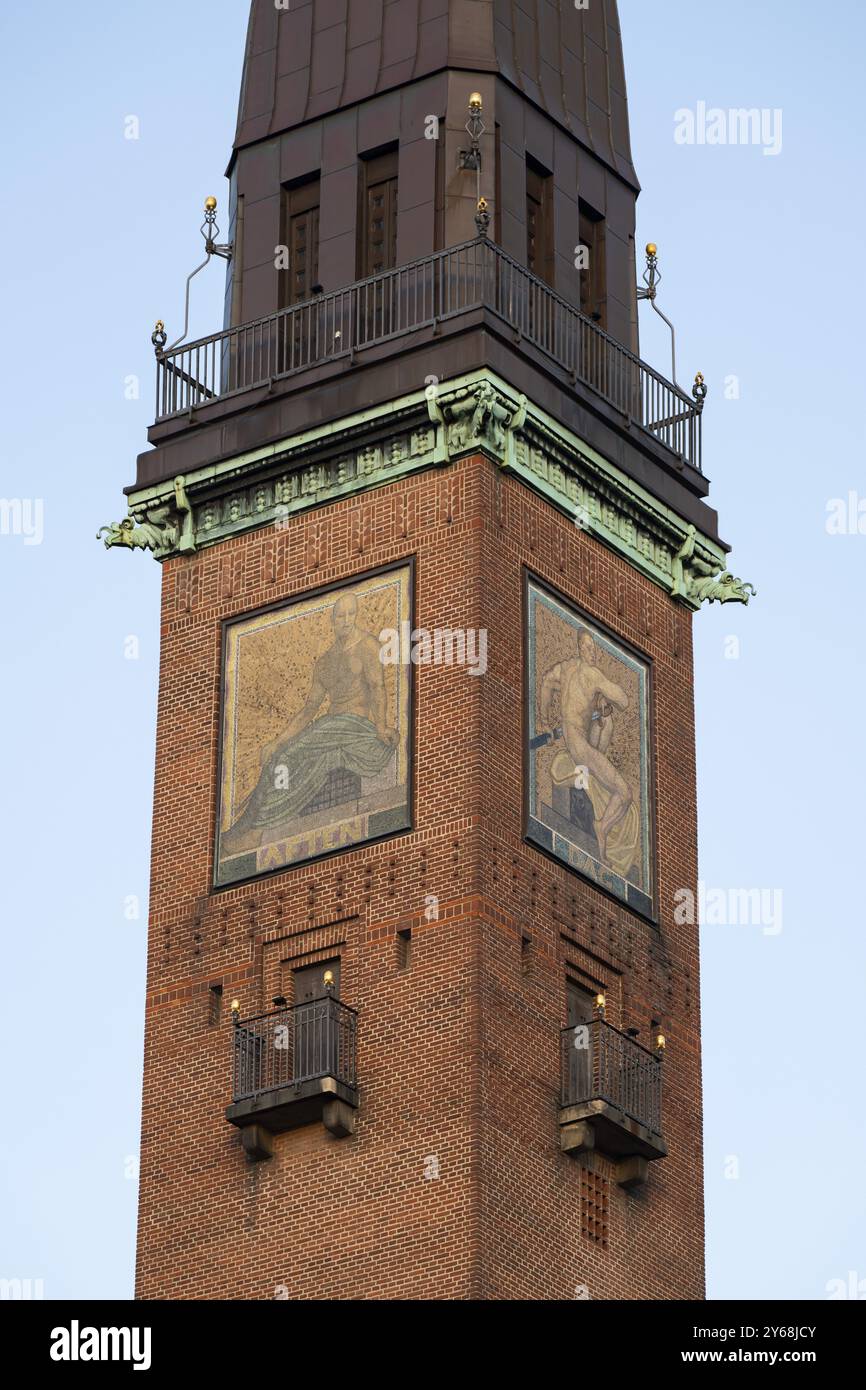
(601, 1064)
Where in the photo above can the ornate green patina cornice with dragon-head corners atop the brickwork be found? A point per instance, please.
(429, 429)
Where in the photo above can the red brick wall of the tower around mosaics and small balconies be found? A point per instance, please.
(458, 1054)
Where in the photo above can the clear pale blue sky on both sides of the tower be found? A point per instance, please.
(762, 262)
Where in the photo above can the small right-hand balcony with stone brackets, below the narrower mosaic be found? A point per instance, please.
(611, 1099)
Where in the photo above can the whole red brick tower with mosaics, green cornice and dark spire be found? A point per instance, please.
(423, 1020)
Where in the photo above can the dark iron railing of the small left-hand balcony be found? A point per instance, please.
(295, 1045)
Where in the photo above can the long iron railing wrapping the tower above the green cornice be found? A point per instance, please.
(476, 275)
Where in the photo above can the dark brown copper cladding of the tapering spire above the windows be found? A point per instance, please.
(323, 55)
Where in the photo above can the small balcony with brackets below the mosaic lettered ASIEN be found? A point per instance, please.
(293, 1067)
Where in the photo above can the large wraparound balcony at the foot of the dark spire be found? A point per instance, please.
(475, 284)
